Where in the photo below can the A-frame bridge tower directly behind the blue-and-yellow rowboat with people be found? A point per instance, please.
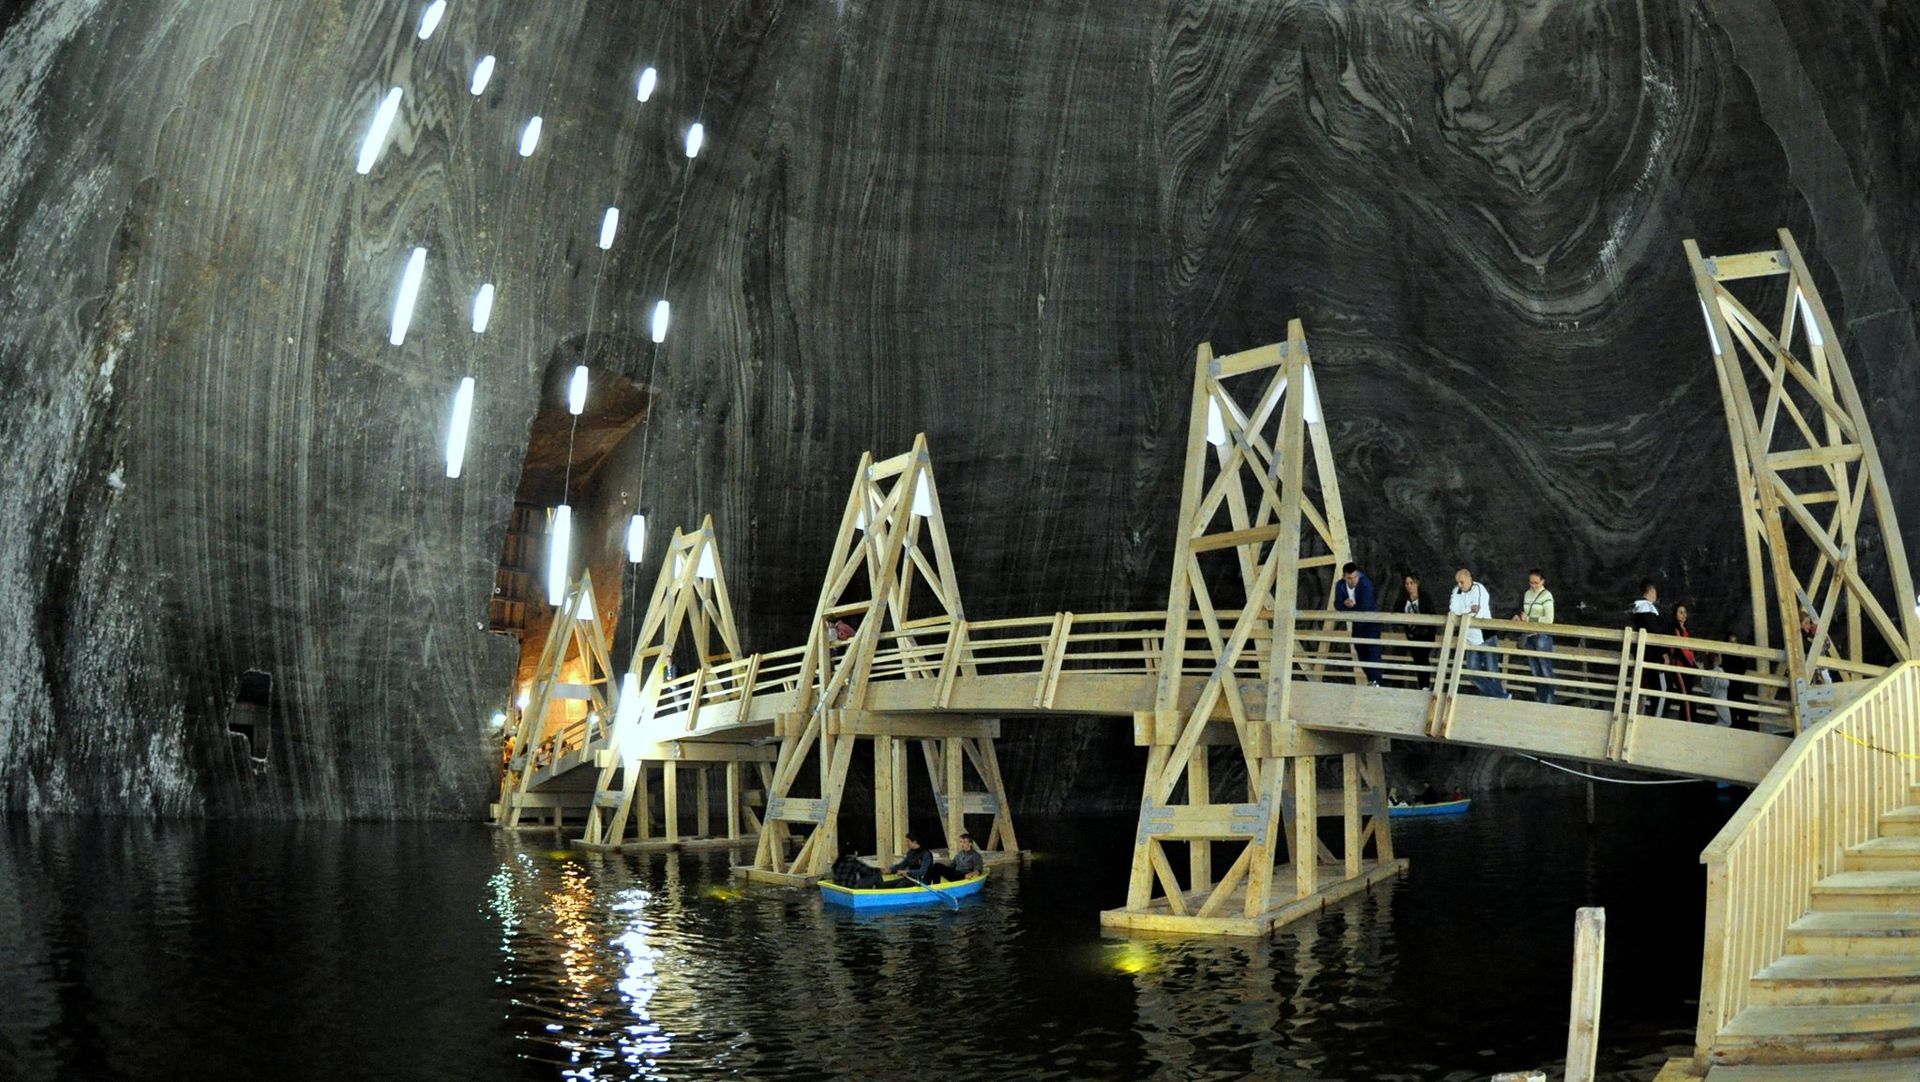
(890, 553)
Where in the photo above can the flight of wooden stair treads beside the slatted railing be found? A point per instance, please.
(1848, 987)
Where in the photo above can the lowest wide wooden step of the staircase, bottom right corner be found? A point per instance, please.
(1821, 1035)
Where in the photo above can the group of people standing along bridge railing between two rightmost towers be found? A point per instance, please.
(1355, 594)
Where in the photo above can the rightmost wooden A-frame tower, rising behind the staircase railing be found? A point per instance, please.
(1808, 471)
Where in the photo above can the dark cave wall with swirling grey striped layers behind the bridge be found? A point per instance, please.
(1003, 225)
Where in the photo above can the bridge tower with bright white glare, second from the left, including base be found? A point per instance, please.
(688, 611)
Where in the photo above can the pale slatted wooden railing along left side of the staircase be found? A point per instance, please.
(1827, 793)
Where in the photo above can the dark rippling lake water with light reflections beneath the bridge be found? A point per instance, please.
(226, 951)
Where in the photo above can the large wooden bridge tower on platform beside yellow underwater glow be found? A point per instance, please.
(1255, 425)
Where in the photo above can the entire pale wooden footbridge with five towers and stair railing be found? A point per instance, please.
(1239, 701)
